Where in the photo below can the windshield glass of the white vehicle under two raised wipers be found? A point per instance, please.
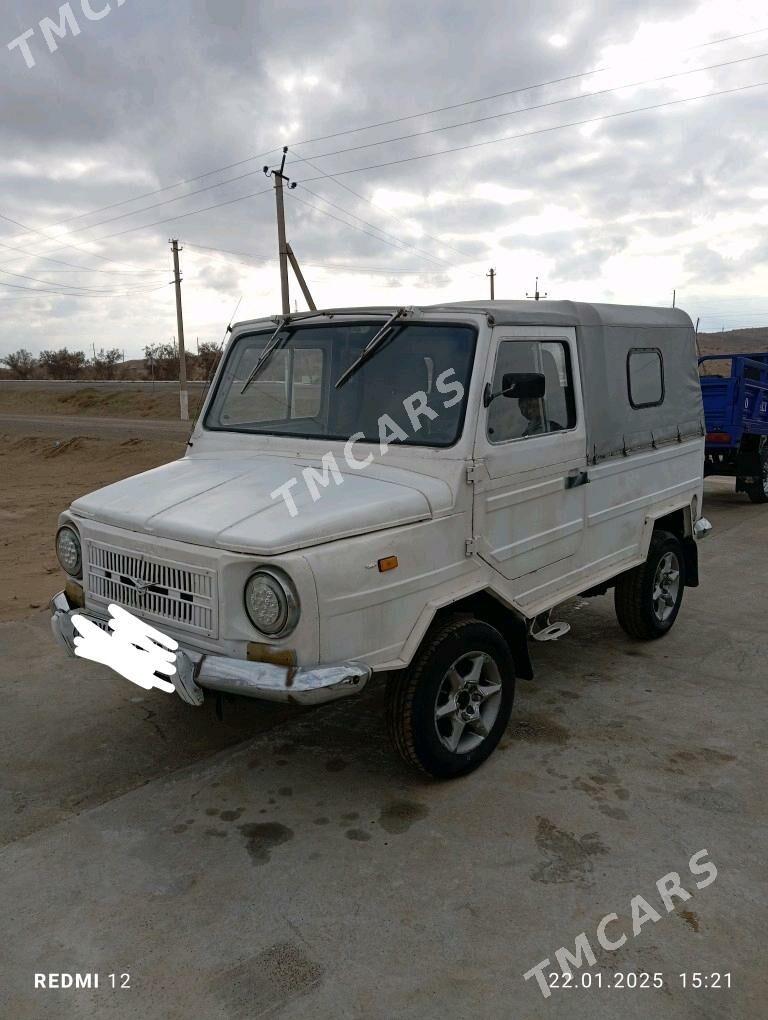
(415, 388)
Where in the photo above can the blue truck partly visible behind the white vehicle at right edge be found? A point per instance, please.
(736, 409)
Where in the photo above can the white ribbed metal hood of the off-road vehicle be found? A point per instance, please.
(226, 503)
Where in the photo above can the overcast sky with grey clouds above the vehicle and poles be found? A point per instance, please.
(96, 137)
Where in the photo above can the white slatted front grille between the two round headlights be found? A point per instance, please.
(156, 589)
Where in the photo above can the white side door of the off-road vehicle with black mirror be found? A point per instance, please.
(531, 457)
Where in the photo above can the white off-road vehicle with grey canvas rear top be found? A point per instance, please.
(406, 494)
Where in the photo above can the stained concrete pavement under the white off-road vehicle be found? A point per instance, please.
(285, 864)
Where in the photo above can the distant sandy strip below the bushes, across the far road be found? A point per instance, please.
(103, 402)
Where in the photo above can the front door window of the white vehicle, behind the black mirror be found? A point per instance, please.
(514, 419)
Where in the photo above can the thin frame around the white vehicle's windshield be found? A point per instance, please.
(472, 326)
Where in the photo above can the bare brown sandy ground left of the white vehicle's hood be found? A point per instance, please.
(40, 479)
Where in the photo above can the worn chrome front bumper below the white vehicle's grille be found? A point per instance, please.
(197, 672)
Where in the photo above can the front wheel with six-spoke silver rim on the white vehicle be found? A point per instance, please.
(447, 712)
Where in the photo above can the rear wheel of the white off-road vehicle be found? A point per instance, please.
(648, 598)
